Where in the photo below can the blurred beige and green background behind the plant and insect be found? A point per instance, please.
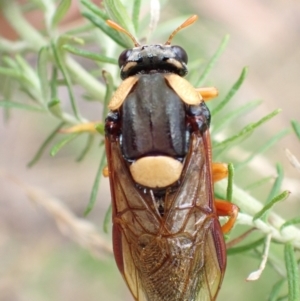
(39, 262)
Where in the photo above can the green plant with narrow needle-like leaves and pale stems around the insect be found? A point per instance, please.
(57, 69)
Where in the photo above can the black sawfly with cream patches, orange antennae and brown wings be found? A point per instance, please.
(167, 239)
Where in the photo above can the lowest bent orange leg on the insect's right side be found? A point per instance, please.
(225, 208)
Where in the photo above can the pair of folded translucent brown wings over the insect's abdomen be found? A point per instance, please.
(176, 256)
